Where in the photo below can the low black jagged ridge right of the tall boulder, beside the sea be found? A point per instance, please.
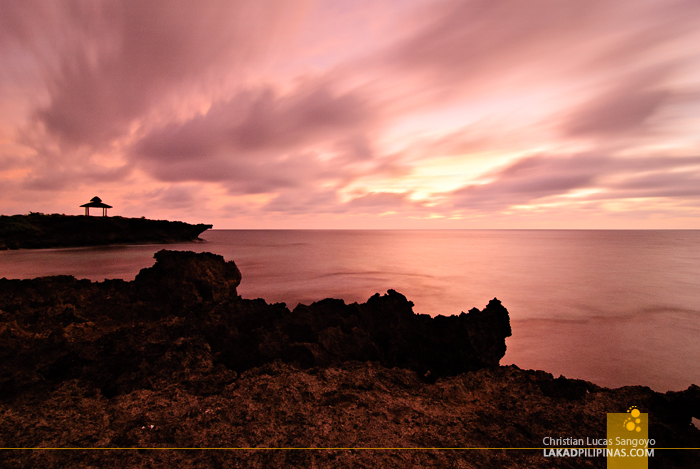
(383, 329)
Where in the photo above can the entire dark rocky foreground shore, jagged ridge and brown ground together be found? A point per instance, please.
(176, 359)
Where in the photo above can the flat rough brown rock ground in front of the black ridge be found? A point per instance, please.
(352, 405)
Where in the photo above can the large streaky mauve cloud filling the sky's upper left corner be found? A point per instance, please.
(115, 61)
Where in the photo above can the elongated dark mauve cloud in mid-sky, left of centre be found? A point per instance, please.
(256, 121)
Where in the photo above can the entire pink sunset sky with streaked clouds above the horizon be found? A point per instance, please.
(369, 114)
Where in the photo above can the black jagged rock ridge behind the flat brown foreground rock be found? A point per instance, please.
(106, 332)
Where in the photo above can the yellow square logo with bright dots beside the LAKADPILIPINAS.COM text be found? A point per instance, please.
(628, 440)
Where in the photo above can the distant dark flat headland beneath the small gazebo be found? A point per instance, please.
(37, 230)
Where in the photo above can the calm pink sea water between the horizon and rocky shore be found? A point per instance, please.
(613, 307)
